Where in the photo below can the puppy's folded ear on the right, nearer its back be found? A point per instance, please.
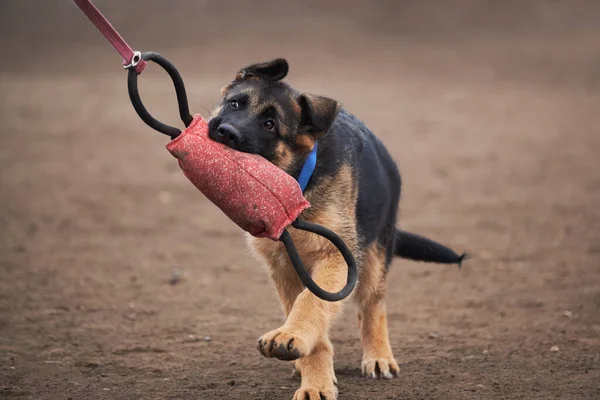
(316, 114)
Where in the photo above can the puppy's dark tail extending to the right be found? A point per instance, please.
(419, 248)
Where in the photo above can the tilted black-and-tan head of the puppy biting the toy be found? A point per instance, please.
(262, 115)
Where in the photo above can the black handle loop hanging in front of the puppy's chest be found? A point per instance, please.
(304, 276)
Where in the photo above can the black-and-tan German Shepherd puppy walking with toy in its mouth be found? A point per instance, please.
(354, 191)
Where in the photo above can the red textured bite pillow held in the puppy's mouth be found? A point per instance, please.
(259, 197)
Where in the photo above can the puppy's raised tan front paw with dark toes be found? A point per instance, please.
(282, 344)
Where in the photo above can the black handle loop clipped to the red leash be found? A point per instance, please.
(134, 96)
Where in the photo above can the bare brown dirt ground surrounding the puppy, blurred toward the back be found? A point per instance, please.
(492, 113)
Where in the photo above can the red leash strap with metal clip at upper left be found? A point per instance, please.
(131, 59)
